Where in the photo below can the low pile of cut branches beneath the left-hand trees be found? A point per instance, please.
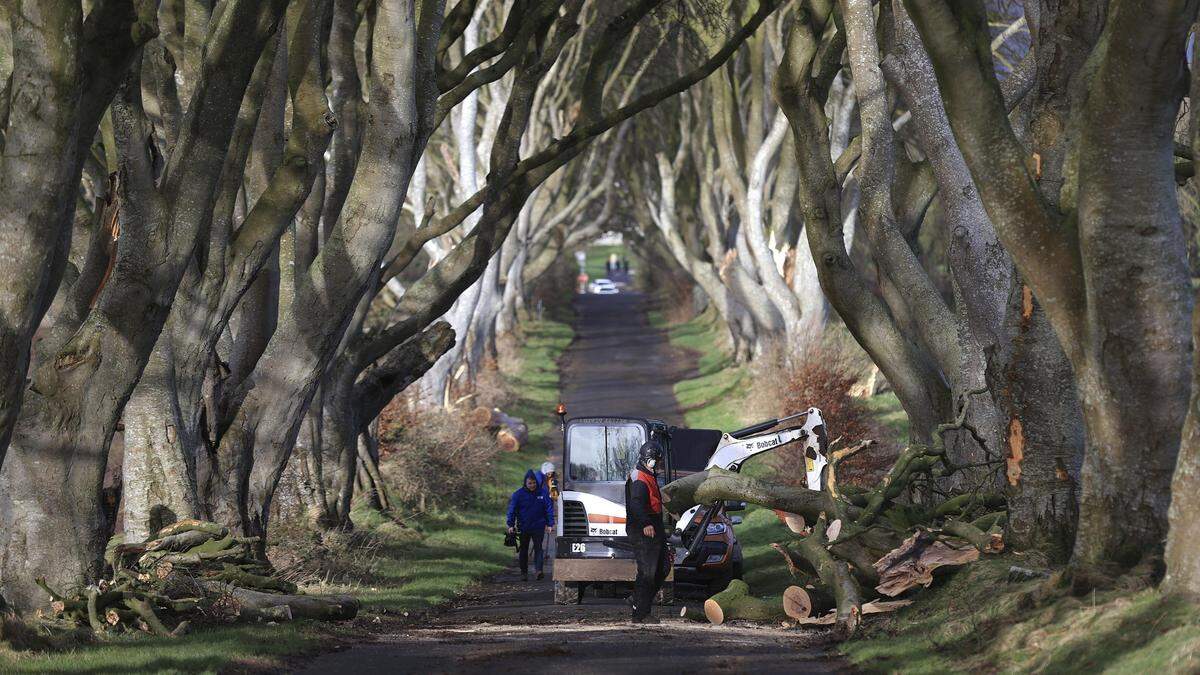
(190, 572)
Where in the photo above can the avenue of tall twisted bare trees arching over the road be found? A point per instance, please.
(235, 230)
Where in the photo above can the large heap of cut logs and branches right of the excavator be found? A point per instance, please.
(855, 551)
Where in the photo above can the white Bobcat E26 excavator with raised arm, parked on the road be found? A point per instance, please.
(599, 453)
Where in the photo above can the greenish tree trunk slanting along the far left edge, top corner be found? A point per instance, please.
(65, 71)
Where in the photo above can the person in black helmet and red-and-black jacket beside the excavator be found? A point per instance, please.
(644, 525)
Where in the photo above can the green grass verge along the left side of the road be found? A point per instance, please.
(422, 566)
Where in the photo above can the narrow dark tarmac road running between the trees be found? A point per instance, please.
(619, 365)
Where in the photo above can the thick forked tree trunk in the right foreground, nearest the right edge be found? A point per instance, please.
(1096, 234)
